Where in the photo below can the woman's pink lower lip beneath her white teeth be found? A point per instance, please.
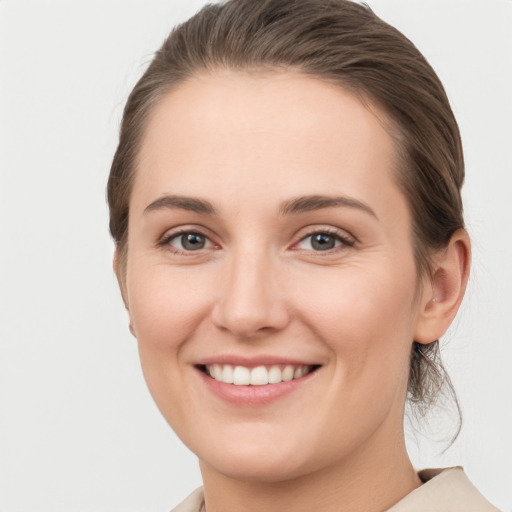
(253, 395)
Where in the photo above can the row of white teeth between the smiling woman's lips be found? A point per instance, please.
(257, 376)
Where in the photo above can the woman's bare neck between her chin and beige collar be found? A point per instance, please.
(371, 482)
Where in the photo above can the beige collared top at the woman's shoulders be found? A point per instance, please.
(444, 490)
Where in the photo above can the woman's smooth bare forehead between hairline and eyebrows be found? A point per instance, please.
(286, 132)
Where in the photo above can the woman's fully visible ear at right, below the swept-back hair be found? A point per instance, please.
(443, 293)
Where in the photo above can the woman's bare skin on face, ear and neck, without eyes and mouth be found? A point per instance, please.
(248, 144)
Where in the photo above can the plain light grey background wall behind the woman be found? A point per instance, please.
(78, 429)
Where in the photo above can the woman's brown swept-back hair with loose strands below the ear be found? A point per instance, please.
(346, 44)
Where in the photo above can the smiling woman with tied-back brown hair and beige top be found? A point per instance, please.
(285, 202)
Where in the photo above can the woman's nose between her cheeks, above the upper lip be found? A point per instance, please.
(251, 300)
